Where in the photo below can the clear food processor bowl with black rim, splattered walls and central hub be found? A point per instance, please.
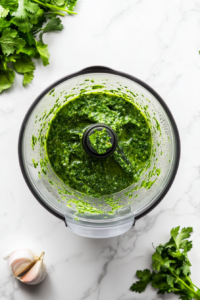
(107, 215)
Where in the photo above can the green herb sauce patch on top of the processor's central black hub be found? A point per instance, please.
(100, 141)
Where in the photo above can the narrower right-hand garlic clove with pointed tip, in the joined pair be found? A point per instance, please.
(36, 274)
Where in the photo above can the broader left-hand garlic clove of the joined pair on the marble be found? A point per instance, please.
(21, 260)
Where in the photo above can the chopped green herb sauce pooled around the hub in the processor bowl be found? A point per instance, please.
(90, 175)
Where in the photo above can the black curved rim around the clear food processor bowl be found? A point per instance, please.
(101, 69)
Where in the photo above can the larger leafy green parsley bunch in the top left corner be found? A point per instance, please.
(21, 21)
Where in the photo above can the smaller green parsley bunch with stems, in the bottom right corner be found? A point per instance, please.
(172, 268)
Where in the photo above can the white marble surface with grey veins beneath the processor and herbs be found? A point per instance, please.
(157, 41)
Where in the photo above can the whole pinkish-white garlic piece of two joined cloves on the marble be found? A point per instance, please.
(26, 266)
